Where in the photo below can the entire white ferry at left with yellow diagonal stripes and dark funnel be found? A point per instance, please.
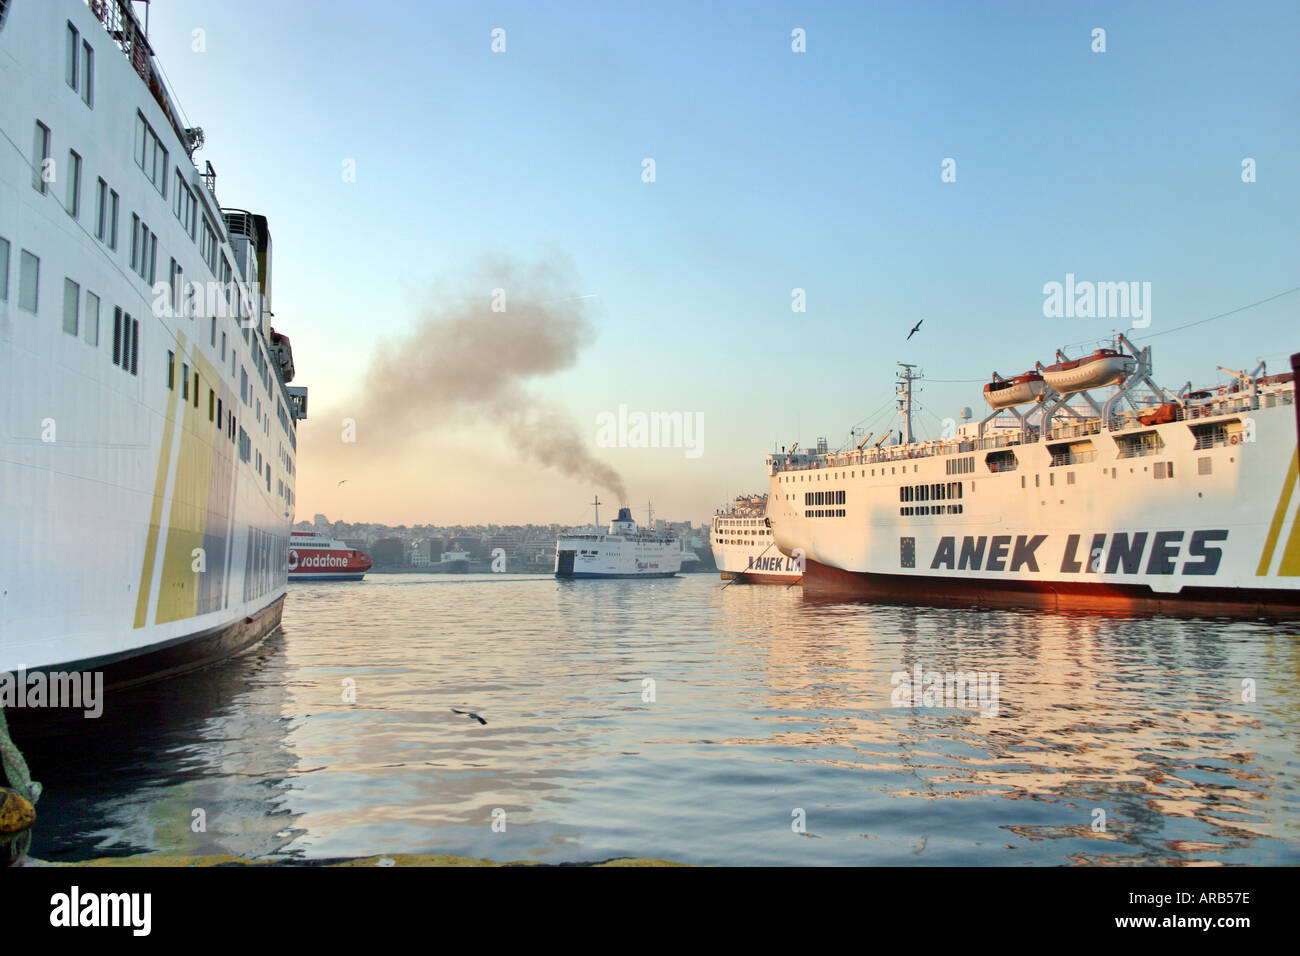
(148, 436)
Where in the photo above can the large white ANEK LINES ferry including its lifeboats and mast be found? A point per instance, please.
(1138, 500)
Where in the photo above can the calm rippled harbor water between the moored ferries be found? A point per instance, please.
(766, 708)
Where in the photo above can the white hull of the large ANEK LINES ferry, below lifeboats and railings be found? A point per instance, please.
(1185, 530)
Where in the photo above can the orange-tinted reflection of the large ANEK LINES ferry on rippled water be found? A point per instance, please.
(1141, 719)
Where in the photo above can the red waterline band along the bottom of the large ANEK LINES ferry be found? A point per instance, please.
(824, 581)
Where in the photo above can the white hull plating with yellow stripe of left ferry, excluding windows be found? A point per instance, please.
(137, 540)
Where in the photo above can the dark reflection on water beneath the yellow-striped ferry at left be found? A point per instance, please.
(132, 781)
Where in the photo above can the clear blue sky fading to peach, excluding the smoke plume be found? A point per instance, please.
(774, 171)
